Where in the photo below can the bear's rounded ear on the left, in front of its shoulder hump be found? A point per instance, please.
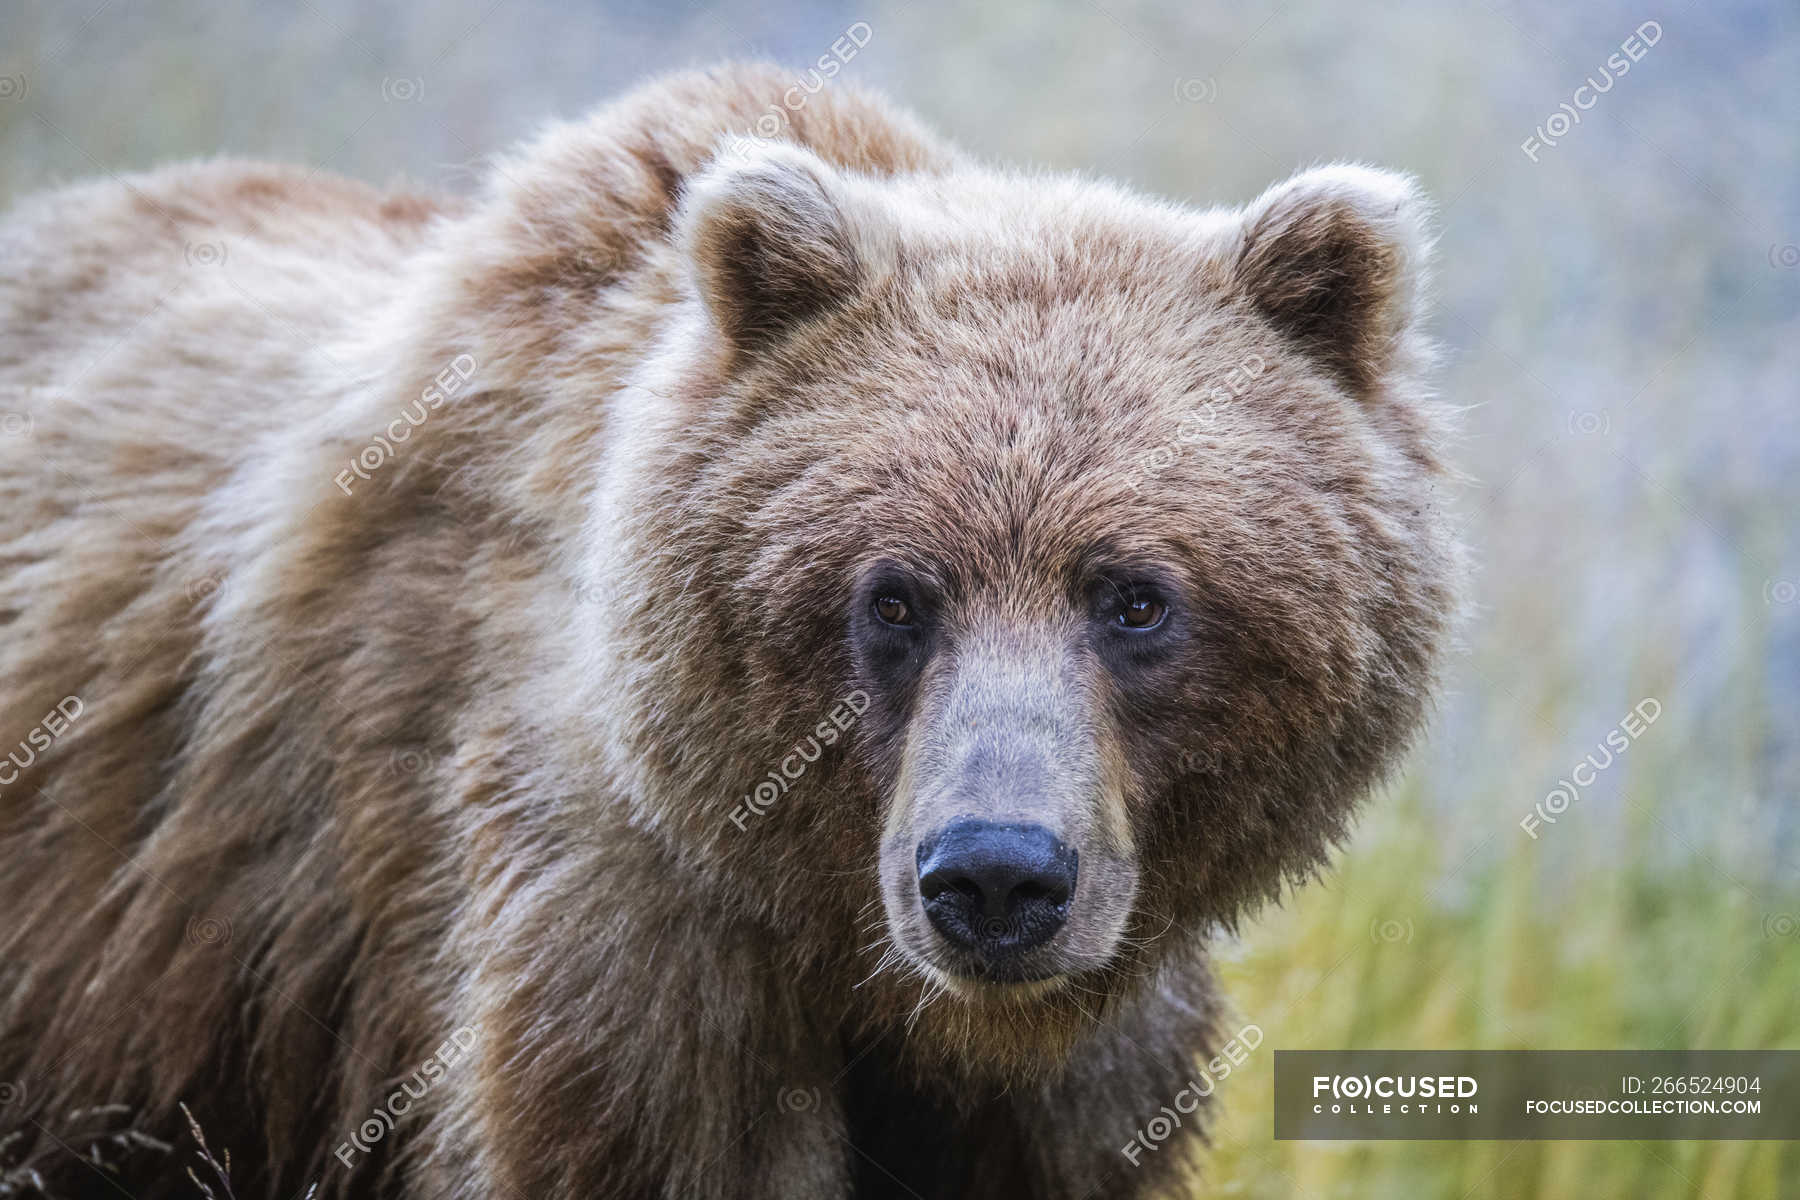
(768, 242)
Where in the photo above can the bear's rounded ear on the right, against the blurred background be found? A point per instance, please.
(1335, 260)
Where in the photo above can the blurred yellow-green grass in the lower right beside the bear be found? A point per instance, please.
(1511, 953)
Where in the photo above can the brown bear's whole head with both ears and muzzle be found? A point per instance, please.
(1111, 521)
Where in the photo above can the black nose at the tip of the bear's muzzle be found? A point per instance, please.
(996, 890)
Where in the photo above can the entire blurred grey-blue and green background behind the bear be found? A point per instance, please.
(1619, 300)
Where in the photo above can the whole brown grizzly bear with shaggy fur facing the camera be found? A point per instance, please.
(726, 665)
